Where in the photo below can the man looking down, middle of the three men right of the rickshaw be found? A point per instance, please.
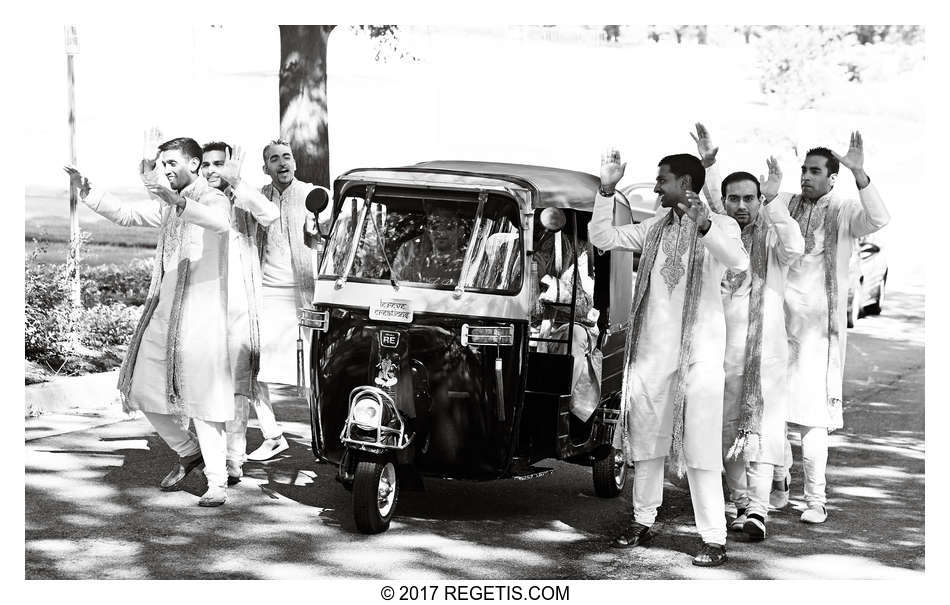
(753, 435)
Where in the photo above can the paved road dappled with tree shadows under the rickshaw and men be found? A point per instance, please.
(94, 511)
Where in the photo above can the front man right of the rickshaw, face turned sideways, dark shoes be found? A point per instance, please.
(650, 404)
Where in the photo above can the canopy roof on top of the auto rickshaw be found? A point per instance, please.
(552, 187)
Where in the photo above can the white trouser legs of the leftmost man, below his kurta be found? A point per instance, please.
(208, 438)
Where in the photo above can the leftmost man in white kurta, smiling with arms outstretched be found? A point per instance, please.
(177, 369)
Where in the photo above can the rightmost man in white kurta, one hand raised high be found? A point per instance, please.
(816, 303)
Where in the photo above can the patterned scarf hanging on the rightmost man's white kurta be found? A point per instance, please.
(833, 374)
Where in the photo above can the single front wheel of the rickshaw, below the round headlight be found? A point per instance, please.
(375, 493)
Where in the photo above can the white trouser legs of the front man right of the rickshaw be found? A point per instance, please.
(705, 489)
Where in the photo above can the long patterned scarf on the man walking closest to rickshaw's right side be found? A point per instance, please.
(694, 283)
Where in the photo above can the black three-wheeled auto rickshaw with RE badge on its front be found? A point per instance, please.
(463, 328)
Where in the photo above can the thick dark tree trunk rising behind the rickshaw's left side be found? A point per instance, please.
(303, 99)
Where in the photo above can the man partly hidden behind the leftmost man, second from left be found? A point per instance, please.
(250, 211)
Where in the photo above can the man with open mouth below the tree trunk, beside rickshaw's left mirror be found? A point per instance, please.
(287, 280)
